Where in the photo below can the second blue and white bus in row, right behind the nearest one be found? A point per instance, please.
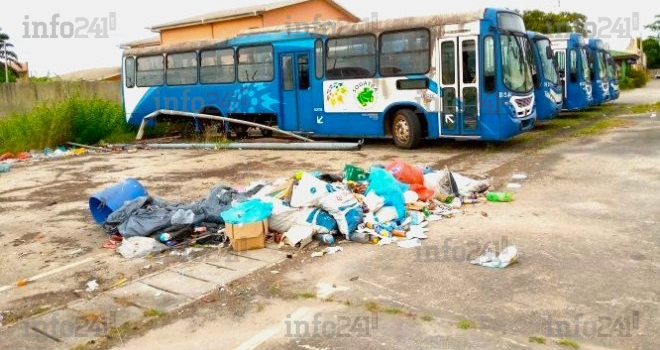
(548, 89)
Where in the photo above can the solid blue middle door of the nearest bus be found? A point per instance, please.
(296, 92)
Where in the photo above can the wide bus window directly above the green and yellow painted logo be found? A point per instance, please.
(349, 58)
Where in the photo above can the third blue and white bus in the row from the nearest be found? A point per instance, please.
(573, 65)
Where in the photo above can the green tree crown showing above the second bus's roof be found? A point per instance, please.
(562, 22)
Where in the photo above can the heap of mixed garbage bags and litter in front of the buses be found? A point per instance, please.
(389, 204)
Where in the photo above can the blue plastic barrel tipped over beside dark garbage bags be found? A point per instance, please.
(104, 203)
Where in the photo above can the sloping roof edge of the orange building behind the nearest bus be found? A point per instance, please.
(242, 12)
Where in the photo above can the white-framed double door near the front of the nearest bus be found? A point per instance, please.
(459, 80)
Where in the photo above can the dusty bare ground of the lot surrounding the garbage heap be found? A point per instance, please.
(585, 222)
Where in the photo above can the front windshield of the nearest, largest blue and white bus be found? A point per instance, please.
(517, 63)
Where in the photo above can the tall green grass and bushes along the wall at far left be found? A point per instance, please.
(79, 120)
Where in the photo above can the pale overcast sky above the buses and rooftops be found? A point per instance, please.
(62, 55)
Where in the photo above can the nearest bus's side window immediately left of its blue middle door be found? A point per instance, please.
(255, 63)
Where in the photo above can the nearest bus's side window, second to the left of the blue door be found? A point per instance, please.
(217, 66)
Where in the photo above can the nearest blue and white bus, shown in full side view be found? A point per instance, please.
(461, 76)
